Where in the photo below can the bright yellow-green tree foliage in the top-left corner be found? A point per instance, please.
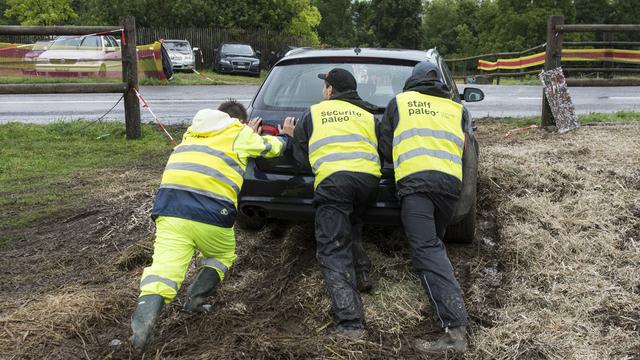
(40, 12)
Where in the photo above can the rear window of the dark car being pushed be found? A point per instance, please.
(296, 86)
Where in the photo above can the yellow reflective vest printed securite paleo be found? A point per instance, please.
(343, 139)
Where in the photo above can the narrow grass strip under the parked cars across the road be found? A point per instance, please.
(179, 78)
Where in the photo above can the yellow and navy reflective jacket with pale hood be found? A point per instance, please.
(204, 174)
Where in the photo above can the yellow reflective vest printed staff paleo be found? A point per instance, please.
(429, 135)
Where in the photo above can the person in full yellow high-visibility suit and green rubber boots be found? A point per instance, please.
(195, 208)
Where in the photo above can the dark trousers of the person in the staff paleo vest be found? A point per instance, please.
(425, 218)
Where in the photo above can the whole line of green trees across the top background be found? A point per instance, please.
(455, 27)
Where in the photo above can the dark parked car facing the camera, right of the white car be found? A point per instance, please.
(236, 58)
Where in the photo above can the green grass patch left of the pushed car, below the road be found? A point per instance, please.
(43, 166)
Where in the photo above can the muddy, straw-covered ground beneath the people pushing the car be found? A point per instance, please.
(553, 272)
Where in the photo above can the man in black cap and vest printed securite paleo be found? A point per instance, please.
(337, 139)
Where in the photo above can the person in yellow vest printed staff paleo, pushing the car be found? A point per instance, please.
(421, 134)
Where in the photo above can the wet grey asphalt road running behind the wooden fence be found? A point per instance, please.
(176, 104)
